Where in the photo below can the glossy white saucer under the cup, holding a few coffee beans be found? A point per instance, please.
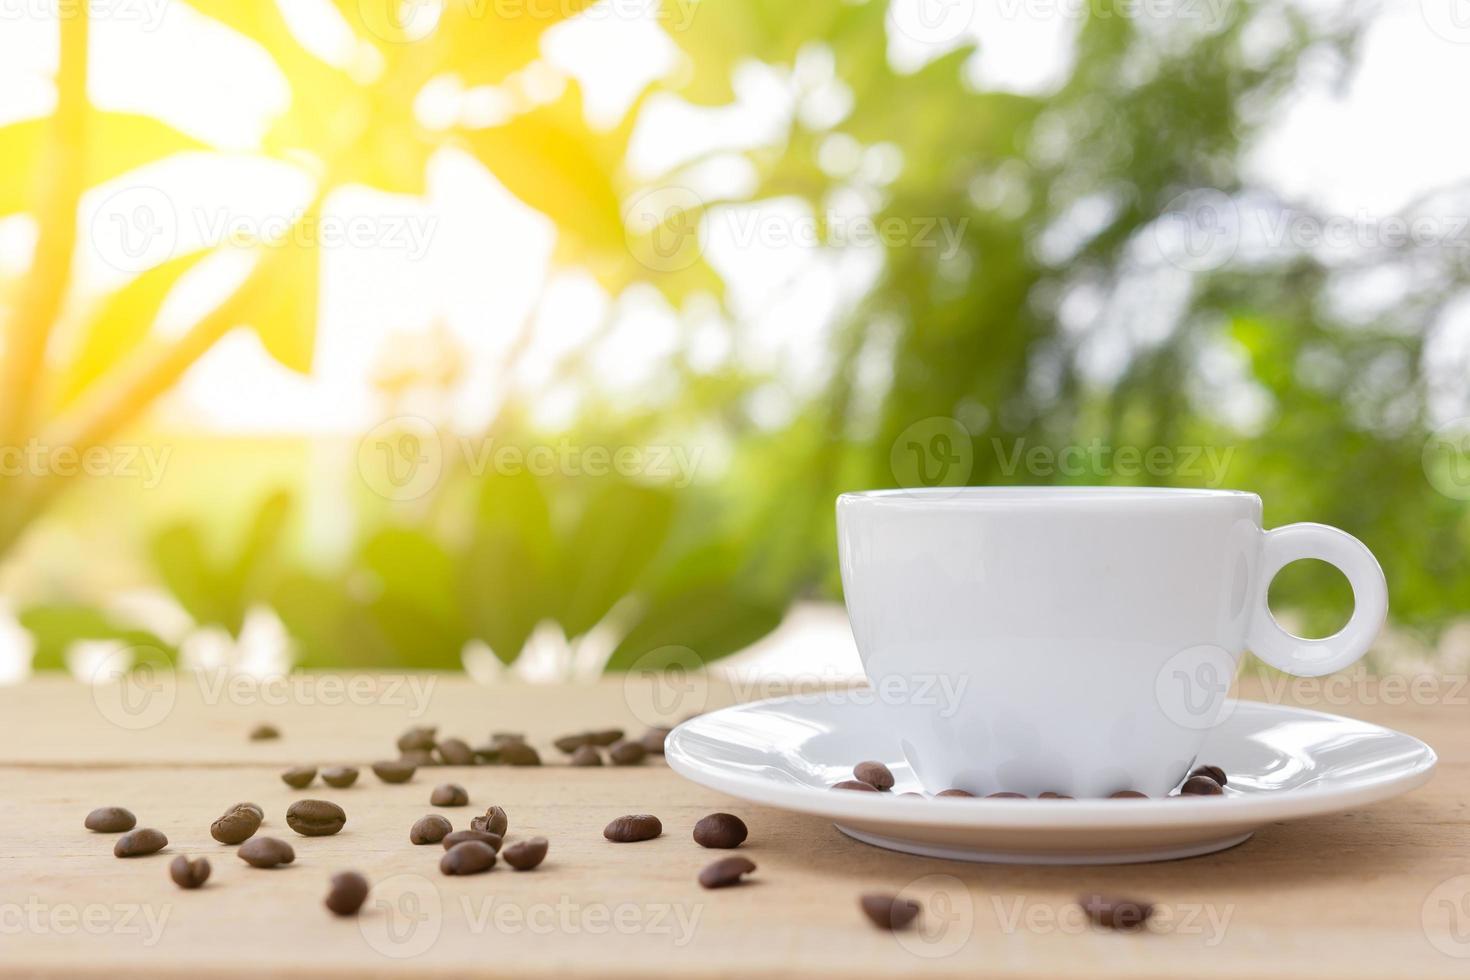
(1283, 765)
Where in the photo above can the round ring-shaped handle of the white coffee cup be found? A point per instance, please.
(1315, 657)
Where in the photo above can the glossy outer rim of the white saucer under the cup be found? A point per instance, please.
(1049, 813)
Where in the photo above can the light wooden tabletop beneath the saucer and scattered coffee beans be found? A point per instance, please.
(1344, 896)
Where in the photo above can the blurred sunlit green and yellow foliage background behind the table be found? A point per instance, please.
(539, 336)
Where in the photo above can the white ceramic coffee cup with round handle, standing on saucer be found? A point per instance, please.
(1075, 640)
